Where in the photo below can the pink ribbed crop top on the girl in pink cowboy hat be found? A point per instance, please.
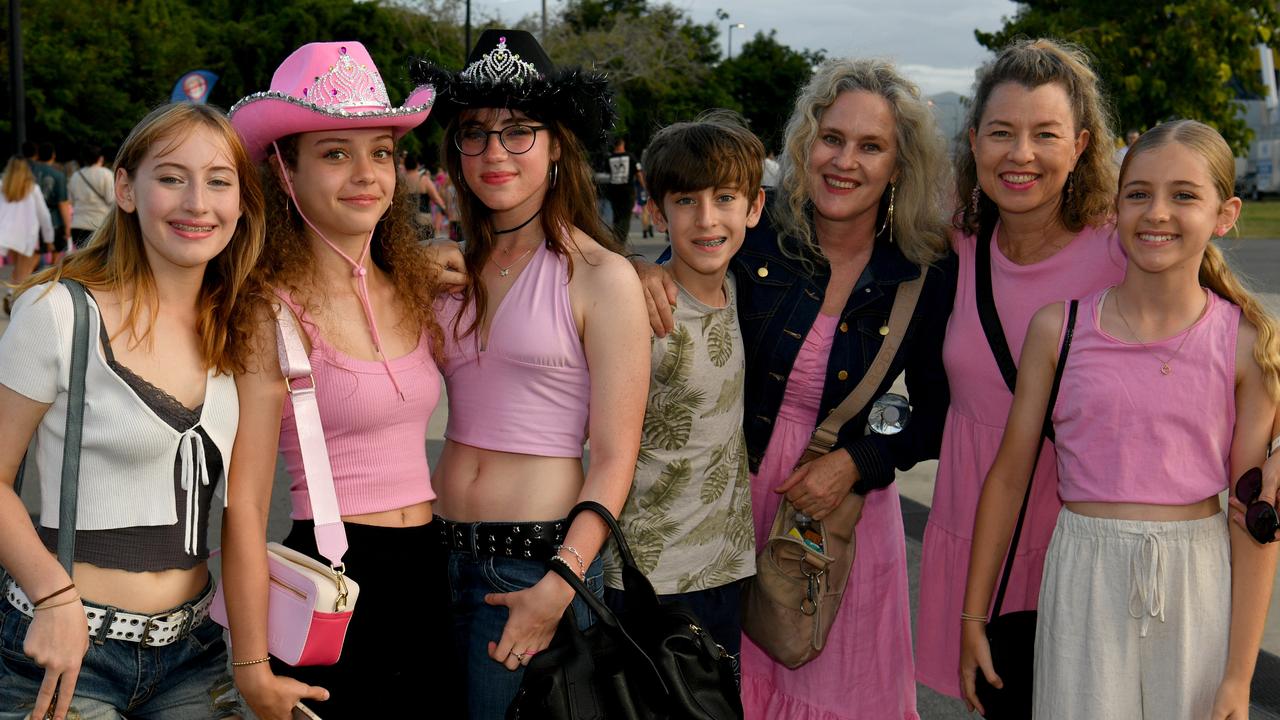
(377, 441)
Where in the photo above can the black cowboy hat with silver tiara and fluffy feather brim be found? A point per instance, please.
(508, 69)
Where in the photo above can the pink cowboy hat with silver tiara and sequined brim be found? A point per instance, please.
(326, 86)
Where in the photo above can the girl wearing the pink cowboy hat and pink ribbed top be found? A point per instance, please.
(344, 257)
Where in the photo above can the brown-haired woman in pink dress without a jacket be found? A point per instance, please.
(1040, 180)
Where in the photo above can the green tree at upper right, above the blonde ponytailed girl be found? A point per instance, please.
(1159, 58)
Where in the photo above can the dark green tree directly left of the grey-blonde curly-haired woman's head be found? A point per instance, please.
(765, 79)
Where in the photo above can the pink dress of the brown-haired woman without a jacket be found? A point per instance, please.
(976, 423)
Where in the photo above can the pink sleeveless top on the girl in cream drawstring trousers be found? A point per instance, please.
(1128, 434)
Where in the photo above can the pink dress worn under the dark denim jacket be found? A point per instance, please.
(866, 671)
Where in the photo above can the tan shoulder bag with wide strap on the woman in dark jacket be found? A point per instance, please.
(790, 605)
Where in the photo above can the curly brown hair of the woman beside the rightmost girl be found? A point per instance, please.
(1034, 63)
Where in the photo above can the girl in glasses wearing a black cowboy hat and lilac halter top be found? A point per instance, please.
(548, 345)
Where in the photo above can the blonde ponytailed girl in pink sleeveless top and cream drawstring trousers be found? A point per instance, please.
(1151, 607)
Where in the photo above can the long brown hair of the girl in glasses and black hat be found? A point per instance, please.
(570, 203)
